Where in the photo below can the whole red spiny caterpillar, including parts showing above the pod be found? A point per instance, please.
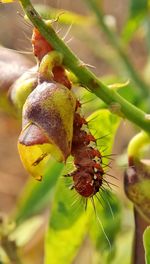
(88, 174)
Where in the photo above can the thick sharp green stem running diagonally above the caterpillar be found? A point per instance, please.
(115, 102)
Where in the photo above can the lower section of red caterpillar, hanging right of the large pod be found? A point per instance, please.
(88, 175)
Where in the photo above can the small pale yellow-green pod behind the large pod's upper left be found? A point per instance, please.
(22, 87)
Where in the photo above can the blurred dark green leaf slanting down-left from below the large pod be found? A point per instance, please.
(37, 195)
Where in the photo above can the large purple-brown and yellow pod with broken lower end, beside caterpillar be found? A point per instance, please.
(47, 126)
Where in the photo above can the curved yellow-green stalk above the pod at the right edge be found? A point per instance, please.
(136, 143)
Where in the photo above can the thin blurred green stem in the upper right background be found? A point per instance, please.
(115, 42)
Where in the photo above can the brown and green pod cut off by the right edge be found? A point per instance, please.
(137, 186)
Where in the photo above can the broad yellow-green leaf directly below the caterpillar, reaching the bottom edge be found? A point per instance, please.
(67, 227)
